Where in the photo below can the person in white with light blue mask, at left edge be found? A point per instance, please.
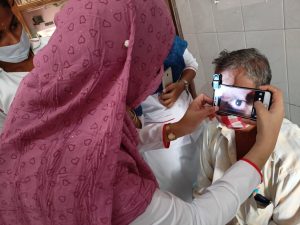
(16, 56)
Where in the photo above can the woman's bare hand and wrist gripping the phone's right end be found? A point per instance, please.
(268, 127)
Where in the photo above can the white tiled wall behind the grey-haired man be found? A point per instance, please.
(272, 26)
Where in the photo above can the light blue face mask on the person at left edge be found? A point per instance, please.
(16, 53)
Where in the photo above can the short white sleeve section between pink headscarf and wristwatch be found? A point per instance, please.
(150, 137)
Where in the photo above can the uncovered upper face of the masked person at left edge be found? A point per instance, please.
(10, 28)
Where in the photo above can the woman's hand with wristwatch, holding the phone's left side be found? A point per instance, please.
(200, 108)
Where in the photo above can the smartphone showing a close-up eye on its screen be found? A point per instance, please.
(239, 101)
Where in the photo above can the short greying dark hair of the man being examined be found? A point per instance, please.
(251, 60)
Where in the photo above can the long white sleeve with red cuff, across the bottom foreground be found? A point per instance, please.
(216, 206)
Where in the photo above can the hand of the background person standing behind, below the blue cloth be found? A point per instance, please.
(171, 93)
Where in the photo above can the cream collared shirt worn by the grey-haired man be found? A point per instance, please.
(281, 174)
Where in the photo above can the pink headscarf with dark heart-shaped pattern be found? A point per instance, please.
(68, 149)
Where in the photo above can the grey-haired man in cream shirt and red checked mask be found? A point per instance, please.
(276, 199)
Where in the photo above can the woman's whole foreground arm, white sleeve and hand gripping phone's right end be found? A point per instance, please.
(219, 203)
